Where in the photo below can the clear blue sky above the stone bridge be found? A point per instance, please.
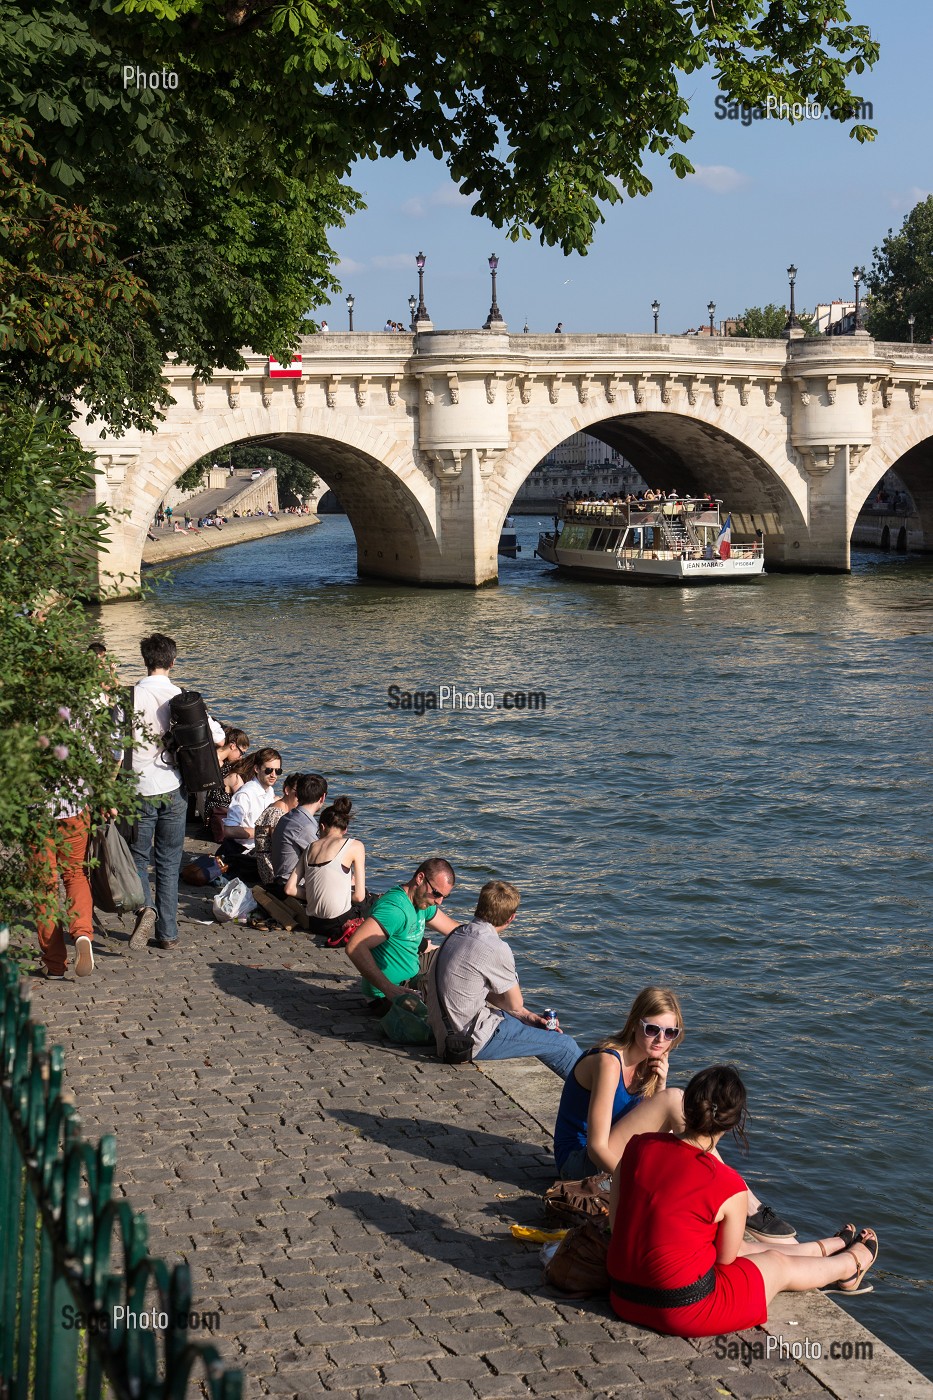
(764, 197)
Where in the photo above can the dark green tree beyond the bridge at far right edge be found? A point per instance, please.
(901, 279)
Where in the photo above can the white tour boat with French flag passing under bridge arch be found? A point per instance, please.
(680, 541)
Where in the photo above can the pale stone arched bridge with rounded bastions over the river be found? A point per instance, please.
(428, 437)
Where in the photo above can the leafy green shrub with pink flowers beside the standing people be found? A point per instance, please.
(57, 736)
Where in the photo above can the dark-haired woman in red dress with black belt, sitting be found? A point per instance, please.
(677, 1261)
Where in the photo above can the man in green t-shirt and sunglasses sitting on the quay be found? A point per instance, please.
(385, 948)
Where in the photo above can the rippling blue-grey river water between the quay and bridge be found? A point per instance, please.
(729, 793)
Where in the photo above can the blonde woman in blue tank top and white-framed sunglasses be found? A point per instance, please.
(620, 1088)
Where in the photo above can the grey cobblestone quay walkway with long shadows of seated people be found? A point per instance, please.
(345, 1205)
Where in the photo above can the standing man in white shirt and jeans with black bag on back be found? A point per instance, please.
(160, 831)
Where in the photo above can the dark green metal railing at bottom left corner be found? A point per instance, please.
(85, 1311)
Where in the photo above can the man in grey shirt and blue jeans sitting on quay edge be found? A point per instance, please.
(473, 982)
